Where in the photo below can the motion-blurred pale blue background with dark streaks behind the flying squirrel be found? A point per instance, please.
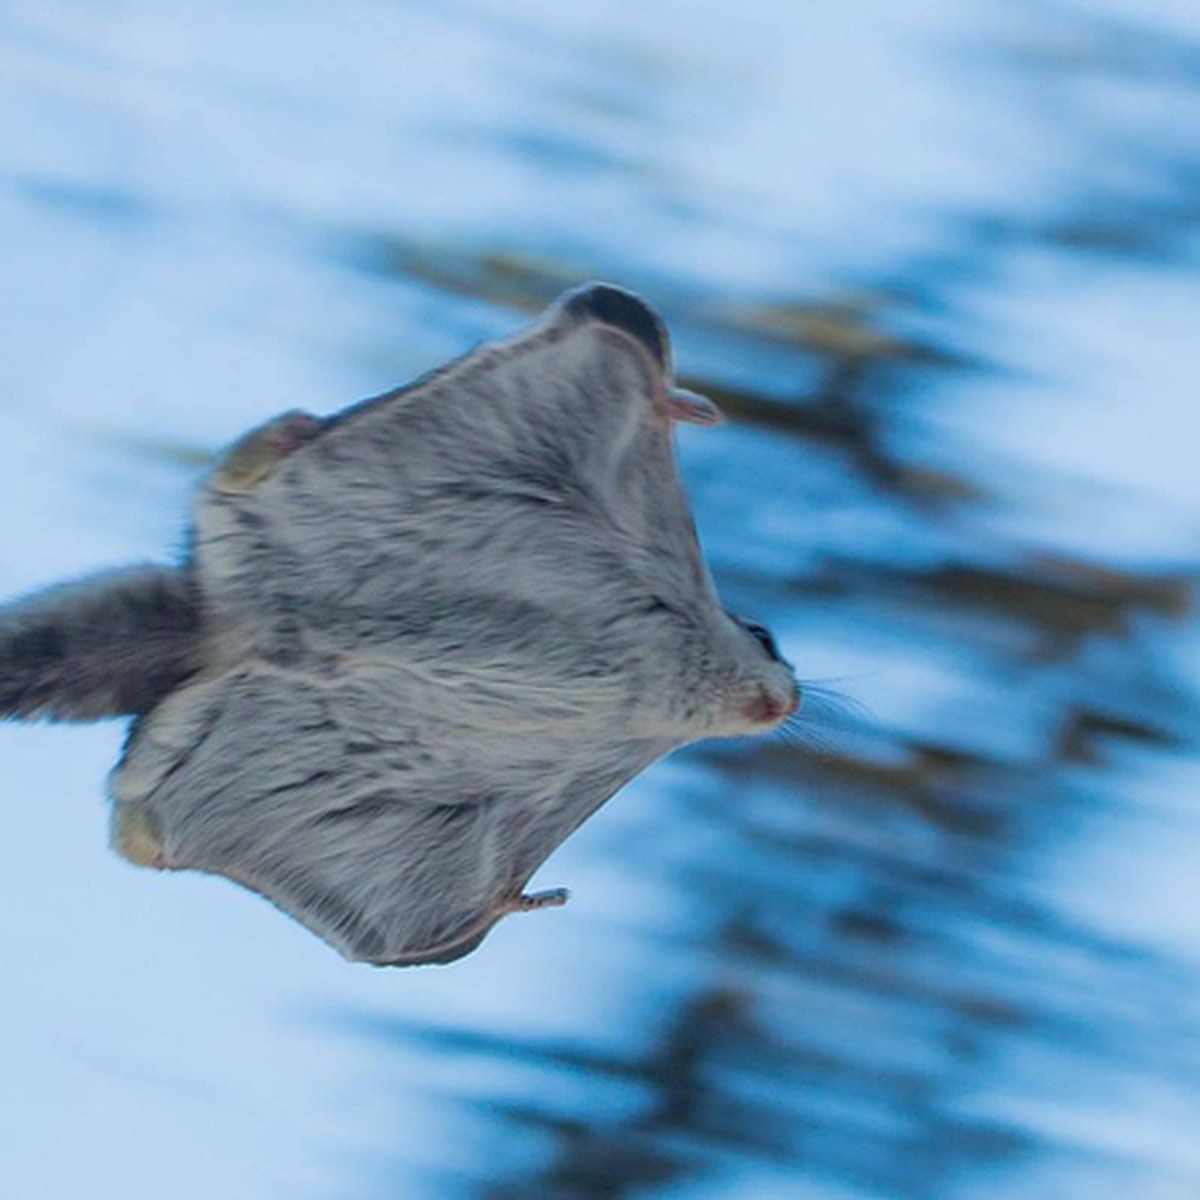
(939, 262)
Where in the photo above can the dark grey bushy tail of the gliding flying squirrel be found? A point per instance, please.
(106, 646)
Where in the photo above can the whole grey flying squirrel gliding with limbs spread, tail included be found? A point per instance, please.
(415, 645)
